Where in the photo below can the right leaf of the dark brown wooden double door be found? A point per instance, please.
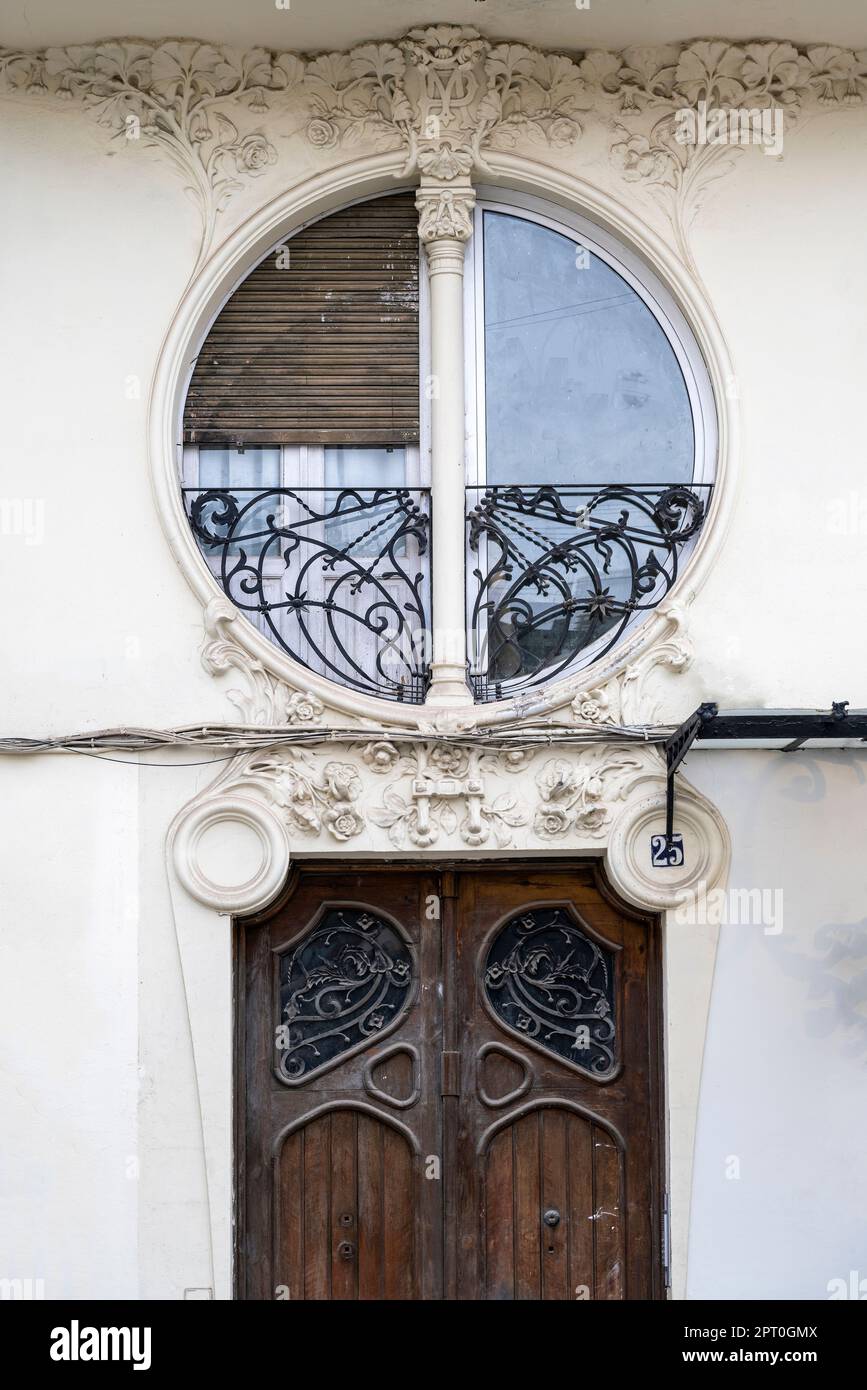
(572, 1139)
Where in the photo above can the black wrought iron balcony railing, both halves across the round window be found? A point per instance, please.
(341, 578)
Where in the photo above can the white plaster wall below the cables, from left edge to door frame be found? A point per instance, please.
(102, 1172)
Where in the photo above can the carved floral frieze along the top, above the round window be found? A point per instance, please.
(444, 97)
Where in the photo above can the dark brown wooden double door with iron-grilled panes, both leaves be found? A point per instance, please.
(448, 1088)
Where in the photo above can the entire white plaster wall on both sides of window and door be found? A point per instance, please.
(99, 629)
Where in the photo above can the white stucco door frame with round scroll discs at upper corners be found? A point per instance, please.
(245, 831)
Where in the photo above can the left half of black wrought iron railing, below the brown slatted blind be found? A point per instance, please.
(337, 579)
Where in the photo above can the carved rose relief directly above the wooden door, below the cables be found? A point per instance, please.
(438, 794)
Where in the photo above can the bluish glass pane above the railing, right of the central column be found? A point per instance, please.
(581, 384)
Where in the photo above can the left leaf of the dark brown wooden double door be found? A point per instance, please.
(334, 1200)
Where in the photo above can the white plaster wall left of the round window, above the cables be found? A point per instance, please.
(97, 251)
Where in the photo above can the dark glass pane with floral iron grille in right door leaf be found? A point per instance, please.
(550, 983)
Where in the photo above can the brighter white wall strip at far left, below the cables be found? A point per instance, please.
(70, 1032)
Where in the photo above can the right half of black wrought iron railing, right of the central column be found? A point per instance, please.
(562, 571)
